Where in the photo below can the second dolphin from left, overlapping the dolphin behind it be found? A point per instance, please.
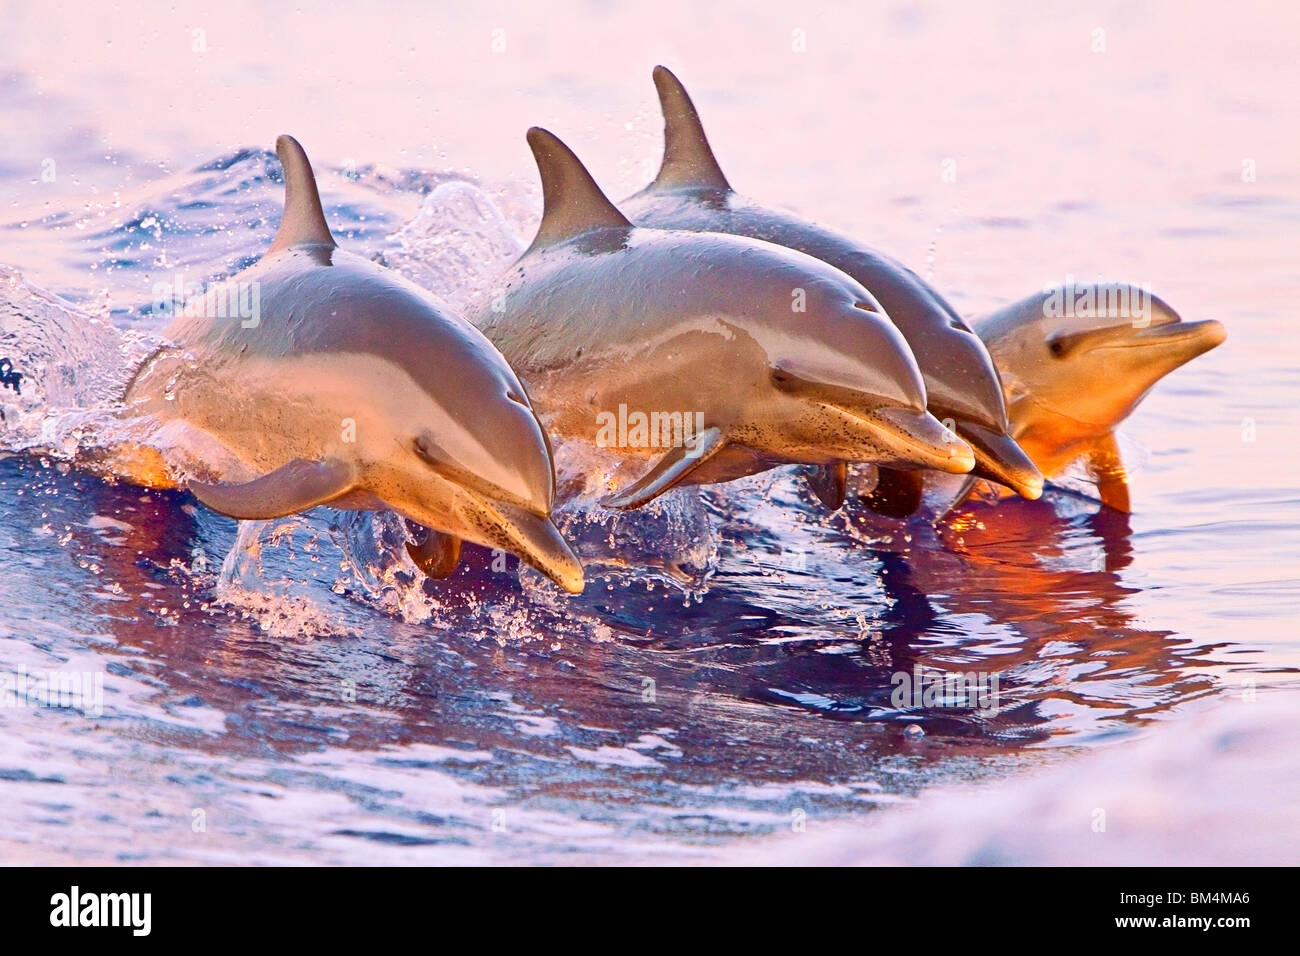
(766, 356)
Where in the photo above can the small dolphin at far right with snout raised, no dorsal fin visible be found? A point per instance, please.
(1073, 373)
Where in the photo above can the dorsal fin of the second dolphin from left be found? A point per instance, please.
(571, 201)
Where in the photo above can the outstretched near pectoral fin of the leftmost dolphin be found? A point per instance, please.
(289, 490)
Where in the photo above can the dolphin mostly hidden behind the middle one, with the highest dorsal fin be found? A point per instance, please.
(691, 193)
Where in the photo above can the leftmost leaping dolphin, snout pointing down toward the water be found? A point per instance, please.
(350, 388)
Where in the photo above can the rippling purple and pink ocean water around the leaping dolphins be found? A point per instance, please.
(292, 693)
